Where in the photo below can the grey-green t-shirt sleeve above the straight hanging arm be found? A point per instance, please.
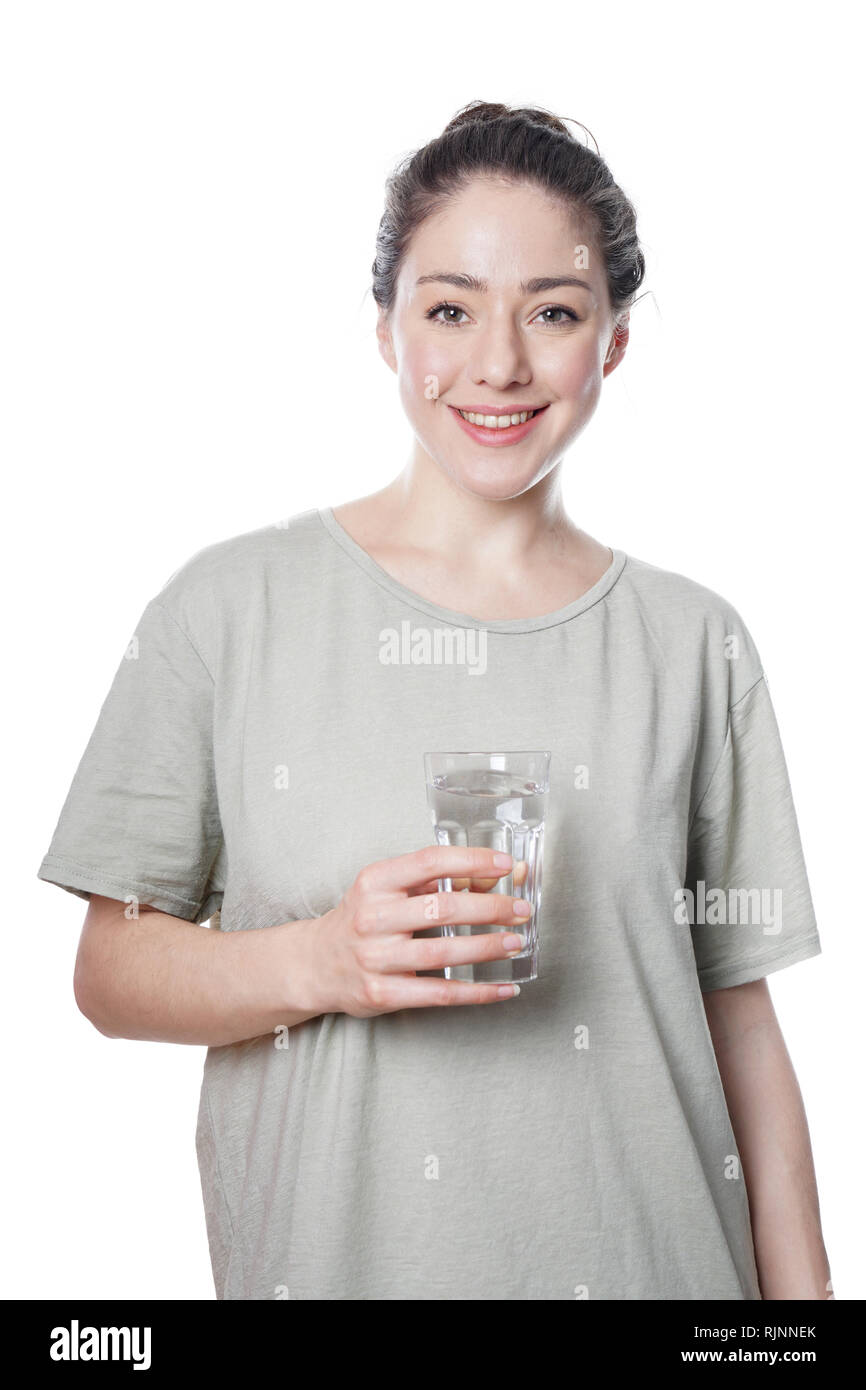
(747, 888)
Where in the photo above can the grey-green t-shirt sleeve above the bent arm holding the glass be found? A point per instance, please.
(141, 819)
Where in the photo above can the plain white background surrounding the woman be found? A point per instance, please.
(193, 194)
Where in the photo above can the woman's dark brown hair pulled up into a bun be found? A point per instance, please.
(522, 144)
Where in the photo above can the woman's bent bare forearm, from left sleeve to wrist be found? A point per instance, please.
(166, 981)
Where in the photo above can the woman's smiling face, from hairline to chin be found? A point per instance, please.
(497, 313)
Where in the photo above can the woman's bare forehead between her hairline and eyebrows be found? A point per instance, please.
(503, 233)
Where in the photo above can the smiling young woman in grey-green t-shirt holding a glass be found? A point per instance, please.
(629, 1125)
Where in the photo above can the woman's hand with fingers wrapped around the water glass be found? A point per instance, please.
(365, 956)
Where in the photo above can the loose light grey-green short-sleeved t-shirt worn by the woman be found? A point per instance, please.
(263, 740)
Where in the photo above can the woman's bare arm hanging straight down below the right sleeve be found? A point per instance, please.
(772, 1135)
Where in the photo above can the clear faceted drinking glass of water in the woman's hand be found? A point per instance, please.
(497, 801)
